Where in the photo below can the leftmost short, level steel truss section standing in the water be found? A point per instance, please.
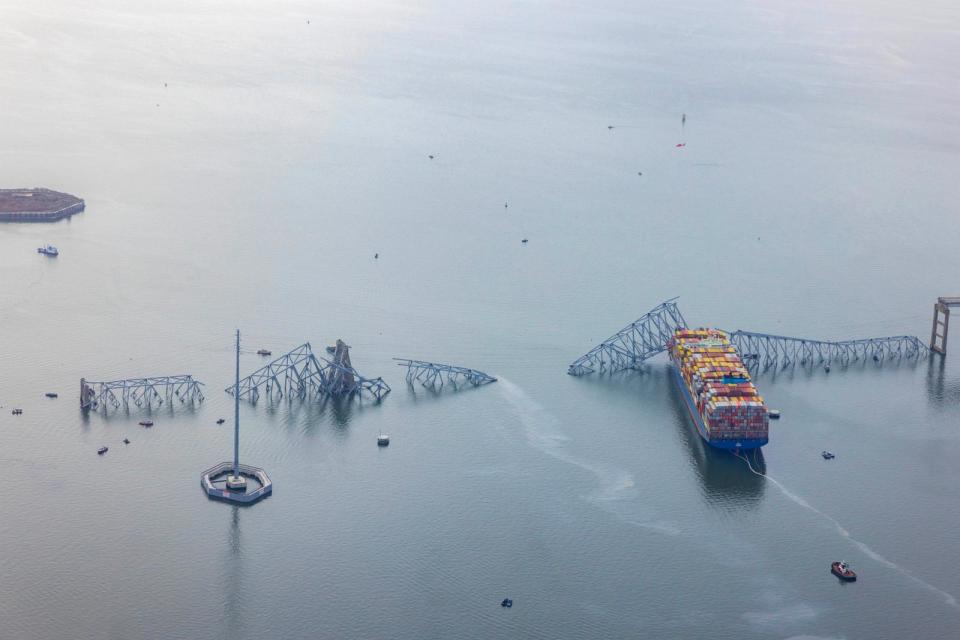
(142, 392)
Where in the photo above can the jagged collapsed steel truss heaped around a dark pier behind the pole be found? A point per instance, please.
(299, 372)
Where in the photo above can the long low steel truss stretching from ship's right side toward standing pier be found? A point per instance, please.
(767, 351)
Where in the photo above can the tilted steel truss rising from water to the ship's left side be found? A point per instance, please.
(628, 348)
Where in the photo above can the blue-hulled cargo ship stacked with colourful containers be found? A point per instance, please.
(722, 401)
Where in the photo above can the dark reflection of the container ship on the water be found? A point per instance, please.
(724, 479)
